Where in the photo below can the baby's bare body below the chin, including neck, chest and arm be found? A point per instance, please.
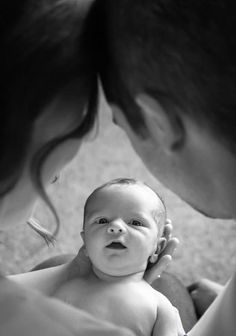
(129, 302)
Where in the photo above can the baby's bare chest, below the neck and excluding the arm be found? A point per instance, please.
(129, 305)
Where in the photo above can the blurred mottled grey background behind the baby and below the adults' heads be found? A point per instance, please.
(207, 247)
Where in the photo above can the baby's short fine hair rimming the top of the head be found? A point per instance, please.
(161, 215)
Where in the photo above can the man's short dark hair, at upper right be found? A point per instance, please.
(181, 52)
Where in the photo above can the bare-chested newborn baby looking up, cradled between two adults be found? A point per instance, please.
(123, 225)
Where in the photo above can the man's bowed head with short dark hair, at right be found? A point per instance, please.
(169, 70)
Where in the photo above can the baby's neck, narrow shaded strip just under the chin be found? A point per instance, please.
(113, 278)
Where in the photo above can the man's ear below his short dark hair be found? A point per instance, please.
(165, 129)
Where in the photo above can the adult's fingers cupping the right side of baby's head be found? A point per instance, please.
(169, 244)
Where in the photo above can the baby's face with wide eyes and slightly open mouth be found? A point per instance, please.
(121, 228)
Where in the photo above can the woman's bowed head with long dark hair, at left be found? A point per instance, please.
(48, 91)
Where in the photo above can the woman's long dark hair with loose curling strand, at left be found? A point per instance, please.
(45, 46)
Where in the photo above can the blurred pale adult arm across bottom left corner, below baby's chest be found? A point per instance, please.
(24, 312)
